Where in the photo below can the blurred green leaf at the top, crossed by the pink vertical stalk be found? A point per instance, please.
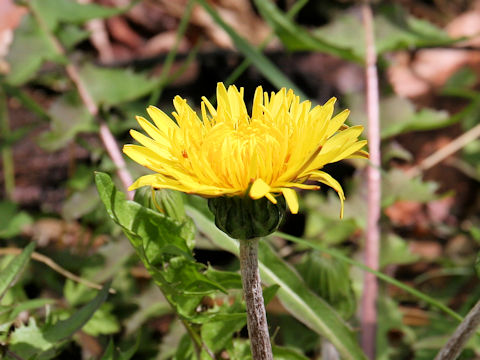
(394, 30)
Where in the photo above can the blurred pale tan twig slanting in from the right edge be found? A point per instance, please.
(445, 151)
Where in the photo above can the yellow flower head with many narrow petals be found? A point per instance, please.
(281, 145)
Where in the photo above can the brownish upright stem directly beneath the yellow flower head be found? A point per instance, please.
(252, 289)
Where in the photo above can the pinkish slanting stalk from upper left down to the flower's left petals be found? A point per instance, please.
(105, 134)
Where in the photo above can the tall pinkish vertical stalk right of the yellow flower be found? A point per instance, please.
(370, 289)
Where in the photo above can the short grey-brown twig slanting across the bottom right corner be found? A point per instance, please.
(461, 335)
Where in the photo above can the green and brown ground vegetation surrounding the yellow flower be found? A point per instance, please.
(76, 73)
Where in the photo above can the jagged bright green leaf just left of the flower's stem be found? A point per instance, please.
(163, 247)
